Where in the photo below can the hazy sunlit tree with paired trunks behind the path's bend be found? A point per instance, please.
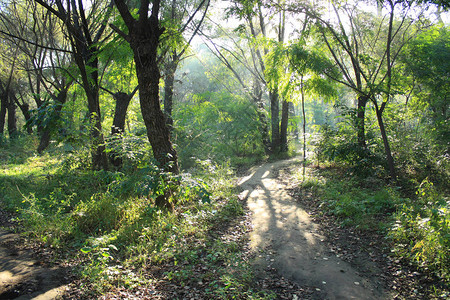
(254, 31)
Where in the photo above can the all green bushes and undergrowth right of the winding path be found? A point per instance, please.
(410, 213)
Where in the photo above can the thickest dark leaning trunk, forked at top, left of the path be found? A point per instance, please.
(143, 37)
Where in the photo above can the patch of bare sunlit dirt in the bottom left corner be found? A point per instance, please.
(24, 277)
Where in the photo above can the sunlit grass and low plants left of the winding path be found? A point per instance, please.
(107, 223)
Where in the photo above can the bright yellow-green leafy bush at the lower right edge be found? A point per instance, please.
(422, 231)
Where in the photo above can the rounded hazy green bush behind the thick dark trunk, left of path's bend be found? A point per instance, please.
(217, 126)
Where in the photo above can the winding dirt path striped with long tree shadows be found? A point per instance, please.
(291, 241)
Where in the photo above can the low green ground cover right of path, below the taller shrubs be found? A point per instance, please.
(416, 228)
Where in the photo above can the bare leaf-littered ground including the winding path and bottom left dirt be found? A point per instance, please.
(286, 247)
